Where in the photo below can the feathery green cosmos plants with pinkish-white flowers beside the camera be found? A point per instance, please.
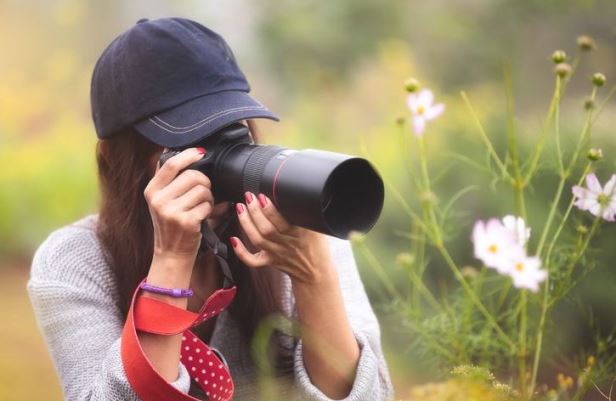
(487, 318)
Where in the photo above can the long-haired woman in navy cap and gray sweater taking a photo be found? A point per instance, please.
(170, 83)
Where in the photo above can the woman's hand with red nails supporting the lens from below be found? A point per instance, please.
(301, 253)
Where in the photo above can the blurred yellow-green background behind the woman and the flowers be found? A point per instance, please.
(334, 72)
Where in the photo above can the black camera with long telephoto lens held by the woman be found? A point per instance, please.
(328, 192)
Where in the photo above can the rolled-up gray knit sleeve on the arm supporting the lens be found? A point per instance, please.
(372, 381)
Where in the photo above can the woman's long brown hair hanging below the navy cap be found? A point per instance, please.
(126, 233)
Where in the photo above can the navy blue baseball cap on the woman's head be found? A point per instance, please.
(174, 80)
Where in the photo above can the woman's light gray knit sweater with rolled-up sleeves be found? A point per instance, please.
(74, 297)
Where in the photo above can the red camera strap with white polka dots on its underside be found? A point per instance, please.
(204, 366)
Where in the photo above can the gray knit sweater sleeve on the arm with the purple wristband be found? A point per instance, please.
(74, 300)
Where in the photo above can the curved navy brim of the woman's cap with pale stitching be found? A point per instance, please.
(194, 120)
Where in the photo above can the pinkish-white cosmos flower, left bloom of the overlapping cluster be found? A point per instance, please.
(495, 245)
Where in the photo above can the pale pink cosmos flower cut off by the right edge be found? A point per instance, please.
(600, 201)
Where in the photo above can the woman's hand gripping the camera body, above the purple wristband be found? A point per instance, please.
(178, 202)
